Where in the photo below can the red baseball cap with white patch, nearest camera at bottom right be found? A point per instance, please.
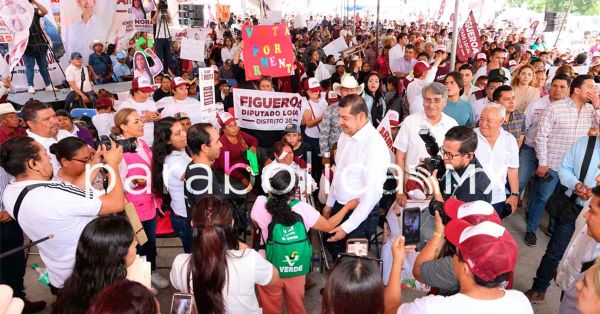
(487, 248)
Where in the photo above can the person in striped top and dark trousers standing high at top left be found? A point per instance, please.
(162, 35)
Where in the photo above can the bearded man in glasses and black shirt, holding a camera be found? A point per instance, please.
(463, 169)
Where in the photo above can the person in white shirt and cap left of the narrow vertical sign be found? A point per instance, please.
(180, 102)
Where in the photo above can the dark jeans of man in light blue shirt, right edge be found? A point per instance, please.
(563, 231)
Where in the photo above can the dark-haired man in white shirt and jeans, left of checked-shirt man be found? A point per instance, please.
(559, 89)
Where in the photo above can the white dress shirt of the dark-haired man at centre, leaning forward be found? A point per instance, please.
(362, 161)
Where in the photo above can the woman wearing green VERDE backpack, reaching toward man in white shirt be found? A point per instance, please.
(277, 207)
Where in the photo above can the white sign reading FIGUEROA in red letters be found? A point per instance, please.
(261, 110)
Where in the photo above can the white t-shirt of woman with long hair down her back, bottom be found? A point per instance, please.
(245, 269)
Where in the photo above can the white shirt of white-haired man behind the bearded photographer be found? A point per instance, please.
(496, 161)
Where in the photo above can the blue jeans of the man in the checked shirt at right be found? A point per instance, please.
(540, 194)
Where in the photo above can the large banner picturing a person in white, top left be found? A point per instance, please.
(110, 21)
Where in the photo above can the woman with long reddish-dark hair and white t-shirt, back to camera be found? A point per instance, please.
(221, 272)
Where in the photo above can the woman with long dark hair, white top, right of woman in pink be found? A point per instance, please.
(169, 160)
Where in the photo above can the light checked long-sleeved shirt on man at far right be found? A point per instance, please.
(560, 126)
